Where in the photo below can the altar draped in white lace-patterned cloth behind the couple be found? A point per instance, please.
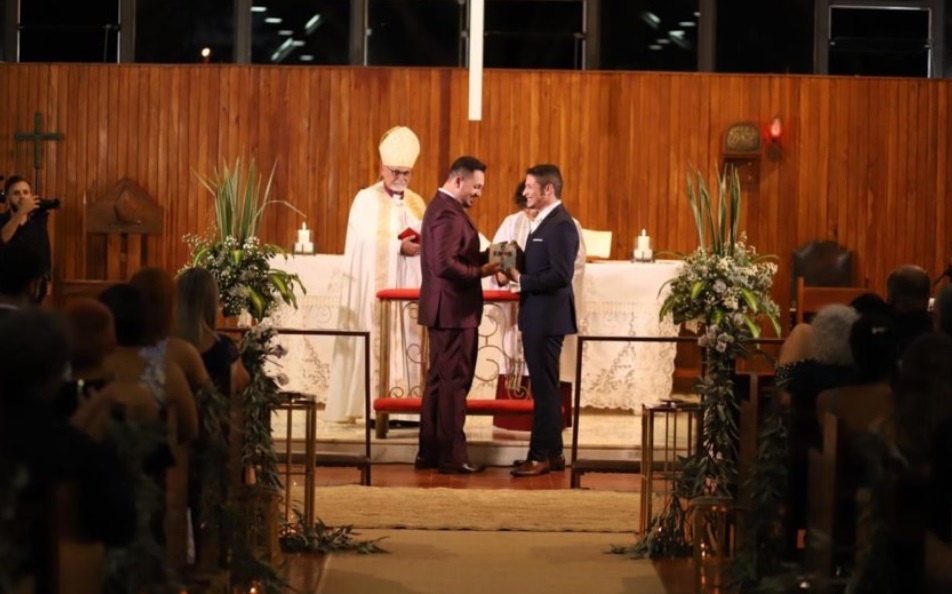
(620, 298)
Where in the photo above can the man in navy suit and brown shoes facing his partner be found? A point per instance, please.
(546, 313)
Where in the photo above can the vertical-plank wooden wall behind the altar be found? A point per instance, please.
(864, 161)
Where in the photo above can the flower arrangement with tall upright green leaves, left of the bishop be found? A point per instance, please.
(234, 254)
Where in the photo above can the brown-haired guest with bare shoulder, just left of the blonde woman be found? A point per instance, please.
(158, 291)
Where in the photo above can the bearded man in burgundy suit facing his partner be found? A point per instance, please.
(451, 307)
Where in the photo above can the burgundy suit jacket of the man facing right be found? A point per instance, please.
(451, 294)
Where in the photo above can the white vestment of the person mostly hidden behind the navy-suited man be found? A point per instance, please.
(516, 227)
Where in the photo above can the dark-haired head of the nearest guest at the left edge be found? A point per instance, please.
(34, 354)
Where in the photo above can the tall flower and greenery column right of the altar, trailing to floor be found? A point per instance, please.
(722, 290)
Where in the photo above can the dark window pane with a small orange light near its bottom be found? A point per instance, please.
(176, 31)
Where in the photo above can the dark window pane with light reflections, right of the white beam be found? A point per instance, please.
(649, 34)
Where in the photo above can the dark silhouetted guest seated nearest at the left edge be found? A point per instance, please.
(54, 450)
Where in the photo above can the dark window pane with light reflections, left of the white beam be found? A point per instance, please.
(300, 32)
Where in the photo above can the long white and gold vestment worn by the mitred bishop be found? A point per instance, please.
(372, 261)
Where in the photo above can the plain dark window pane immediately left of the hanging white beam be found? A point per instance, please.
(417, 33)
